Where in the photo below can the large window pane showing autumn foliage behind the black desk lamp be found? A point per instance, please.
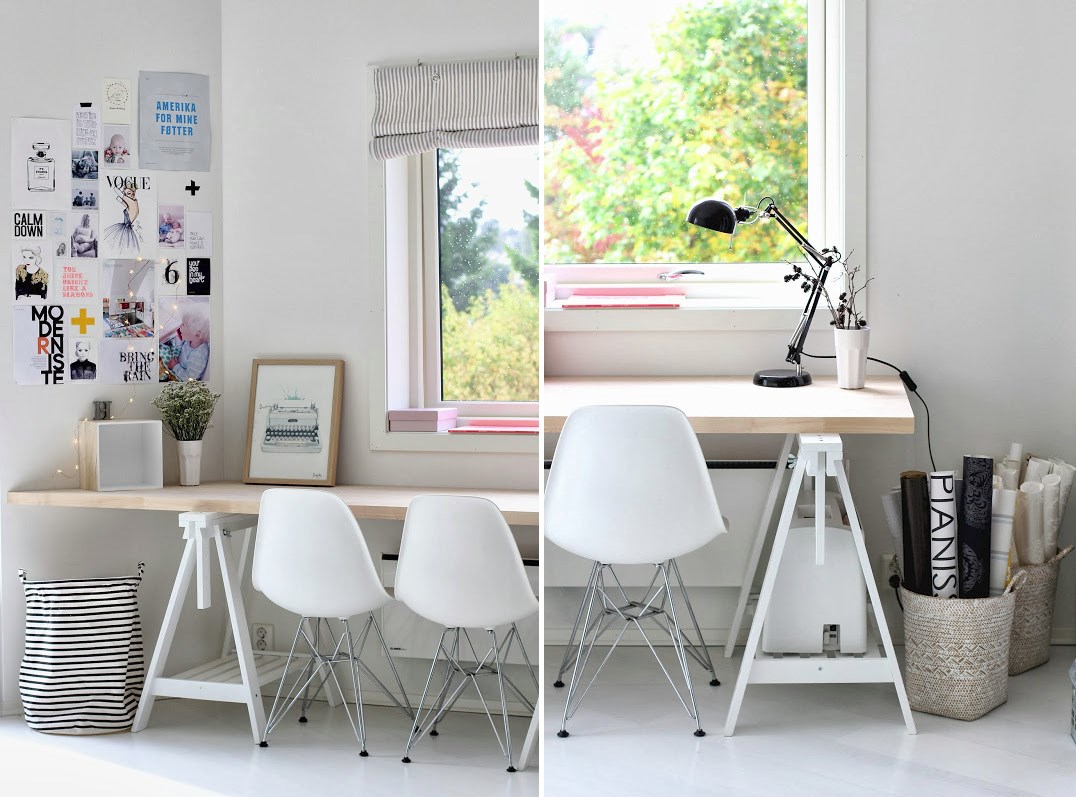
(654, 106)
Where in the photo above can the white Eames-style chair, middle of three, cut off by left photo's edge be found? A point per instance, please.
(461, 570)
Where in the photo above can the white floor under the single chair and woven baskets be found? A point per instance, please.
(631, 737)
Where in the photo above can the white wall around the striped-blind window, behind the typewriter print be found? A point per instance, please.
(296, 193)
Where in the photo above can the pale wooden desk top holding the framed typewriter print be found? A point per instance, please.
(387, 504)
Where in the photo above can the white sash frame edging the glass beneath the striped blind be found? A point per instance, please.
(431, 308)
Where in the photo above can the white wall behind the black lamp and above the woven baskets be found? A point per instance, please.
(970, 174)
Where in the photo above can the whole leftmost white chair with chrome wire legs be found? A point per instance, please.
(310, 559)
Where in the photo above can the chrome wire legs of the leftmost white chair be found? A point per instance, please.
(320, 671)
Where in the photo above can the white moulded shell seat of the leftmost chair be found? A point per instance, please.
(310, 557)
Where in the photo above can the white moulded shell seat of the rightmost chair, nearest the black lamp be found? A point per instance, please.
(629, 486)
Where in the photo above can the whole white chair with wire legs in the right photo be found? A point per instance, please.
(629, 486)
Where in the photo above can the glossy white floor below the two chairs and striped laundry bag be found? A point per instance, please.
(194, 748)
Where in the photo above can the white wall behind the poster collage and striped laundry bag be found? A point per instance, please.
(45, 75)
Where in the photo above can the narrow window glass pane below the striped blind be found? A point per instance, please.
(488, 207)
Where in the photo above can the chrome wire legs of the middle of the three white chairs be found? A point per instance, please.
(448, 693)
